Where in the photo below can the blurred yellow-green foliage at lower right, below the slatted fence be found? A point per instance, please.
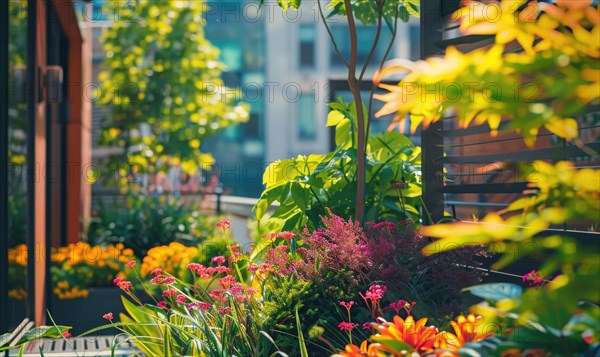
(564, 193)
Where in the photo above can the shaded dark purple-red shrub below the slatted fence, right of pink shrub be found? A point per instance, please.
(435, 282)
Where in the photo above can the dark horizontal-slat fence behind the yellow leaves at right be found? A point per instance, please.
(466, 171)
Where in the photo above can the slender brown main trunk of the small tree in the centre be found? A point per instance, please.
(360, 116)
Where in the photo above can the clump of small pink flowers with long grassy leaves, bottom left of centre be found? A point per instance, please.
(214, 313)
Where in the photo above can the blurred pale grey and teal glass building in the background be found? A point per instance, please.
(281, 64)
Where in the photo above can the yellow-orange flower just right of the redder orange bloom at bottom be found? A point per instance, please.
(466, 329)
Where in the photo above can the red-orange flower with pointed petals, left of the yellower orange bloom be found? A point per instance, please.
(417, 335)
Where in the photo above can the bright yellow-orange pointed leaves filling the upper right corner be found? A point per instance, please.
(552, 80)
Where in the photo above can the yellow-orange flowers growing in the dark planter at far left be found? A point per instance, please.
(74, 268)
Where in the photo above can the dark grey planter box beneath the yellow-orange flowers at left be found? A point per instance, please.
(86, 313)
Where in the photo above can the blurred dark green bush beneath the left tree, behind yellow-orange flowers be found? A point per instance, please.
(147, 221)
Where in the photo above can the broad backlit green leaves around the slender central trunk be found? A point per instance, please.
(306, 186)
